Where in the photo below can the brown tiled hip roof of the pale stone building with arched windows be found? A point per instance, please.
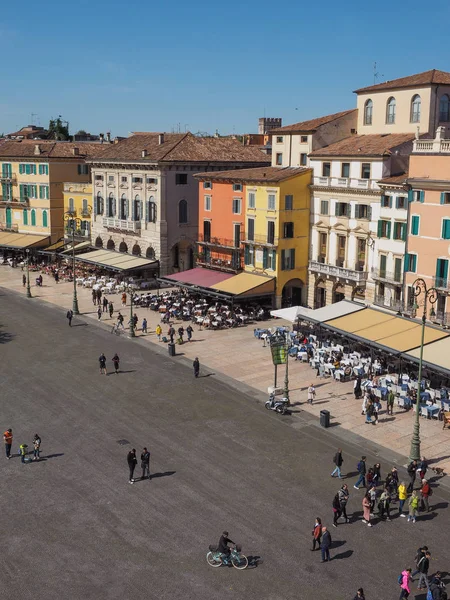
(182, 147)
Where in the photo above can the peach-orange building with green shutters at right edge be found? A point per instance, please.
(428, 243)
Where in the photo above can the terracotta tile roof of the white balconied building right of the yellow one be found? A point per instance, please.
(365, 145)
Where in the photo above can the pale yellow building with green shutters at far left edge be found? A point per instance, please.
(33, 173)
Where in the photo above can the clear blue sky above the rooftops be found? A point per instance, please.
(205, 65)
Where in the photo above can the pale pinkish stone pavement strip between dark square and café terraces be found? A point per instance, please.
(236, 353)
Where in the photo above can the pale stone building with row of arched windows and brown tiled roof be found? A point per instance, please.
(145, 197)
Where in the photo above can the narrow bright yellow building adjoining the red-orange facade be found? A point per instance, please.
(277, 202)
